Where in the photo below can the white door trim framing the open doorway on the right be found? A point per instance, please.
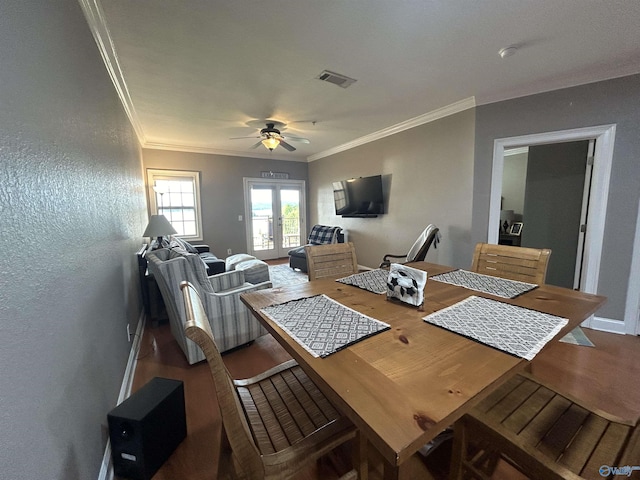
(603, 158)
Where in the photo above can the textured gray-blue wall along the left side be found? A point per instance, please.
(72, 211)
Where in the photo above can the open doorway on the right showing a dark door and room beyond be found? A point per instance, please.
(546, 190)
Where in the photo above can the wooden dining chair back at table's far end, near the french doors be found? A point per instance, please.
(331, 260)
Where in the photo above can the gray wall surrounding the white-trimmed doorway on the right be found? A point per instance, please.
(610, 102)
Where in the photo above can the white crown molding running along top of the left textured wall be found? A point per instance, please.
(98, 26)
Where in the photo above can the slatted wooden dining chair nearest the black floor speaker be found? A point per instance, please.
(274, 424)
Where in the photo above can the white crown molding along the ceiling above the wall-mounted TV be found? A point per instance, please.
(432, 116)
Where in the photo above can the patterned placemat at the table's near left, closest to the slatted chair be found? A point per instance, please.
(322, 325)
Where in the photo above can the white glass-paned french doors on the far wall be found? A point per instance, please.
(274, 213)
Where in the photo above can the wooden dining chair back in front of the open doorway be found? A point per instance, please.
(515, 263)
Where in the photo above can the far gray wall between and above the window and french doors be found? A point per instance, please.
(222, 190)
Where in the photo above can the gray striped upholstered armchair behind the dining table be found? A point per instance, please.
(231, 322)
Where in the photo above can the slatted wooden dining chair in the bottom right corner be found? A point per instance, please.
(544, 434)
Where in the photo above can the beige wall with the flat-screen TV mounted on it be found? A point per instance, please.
(428, 177)
